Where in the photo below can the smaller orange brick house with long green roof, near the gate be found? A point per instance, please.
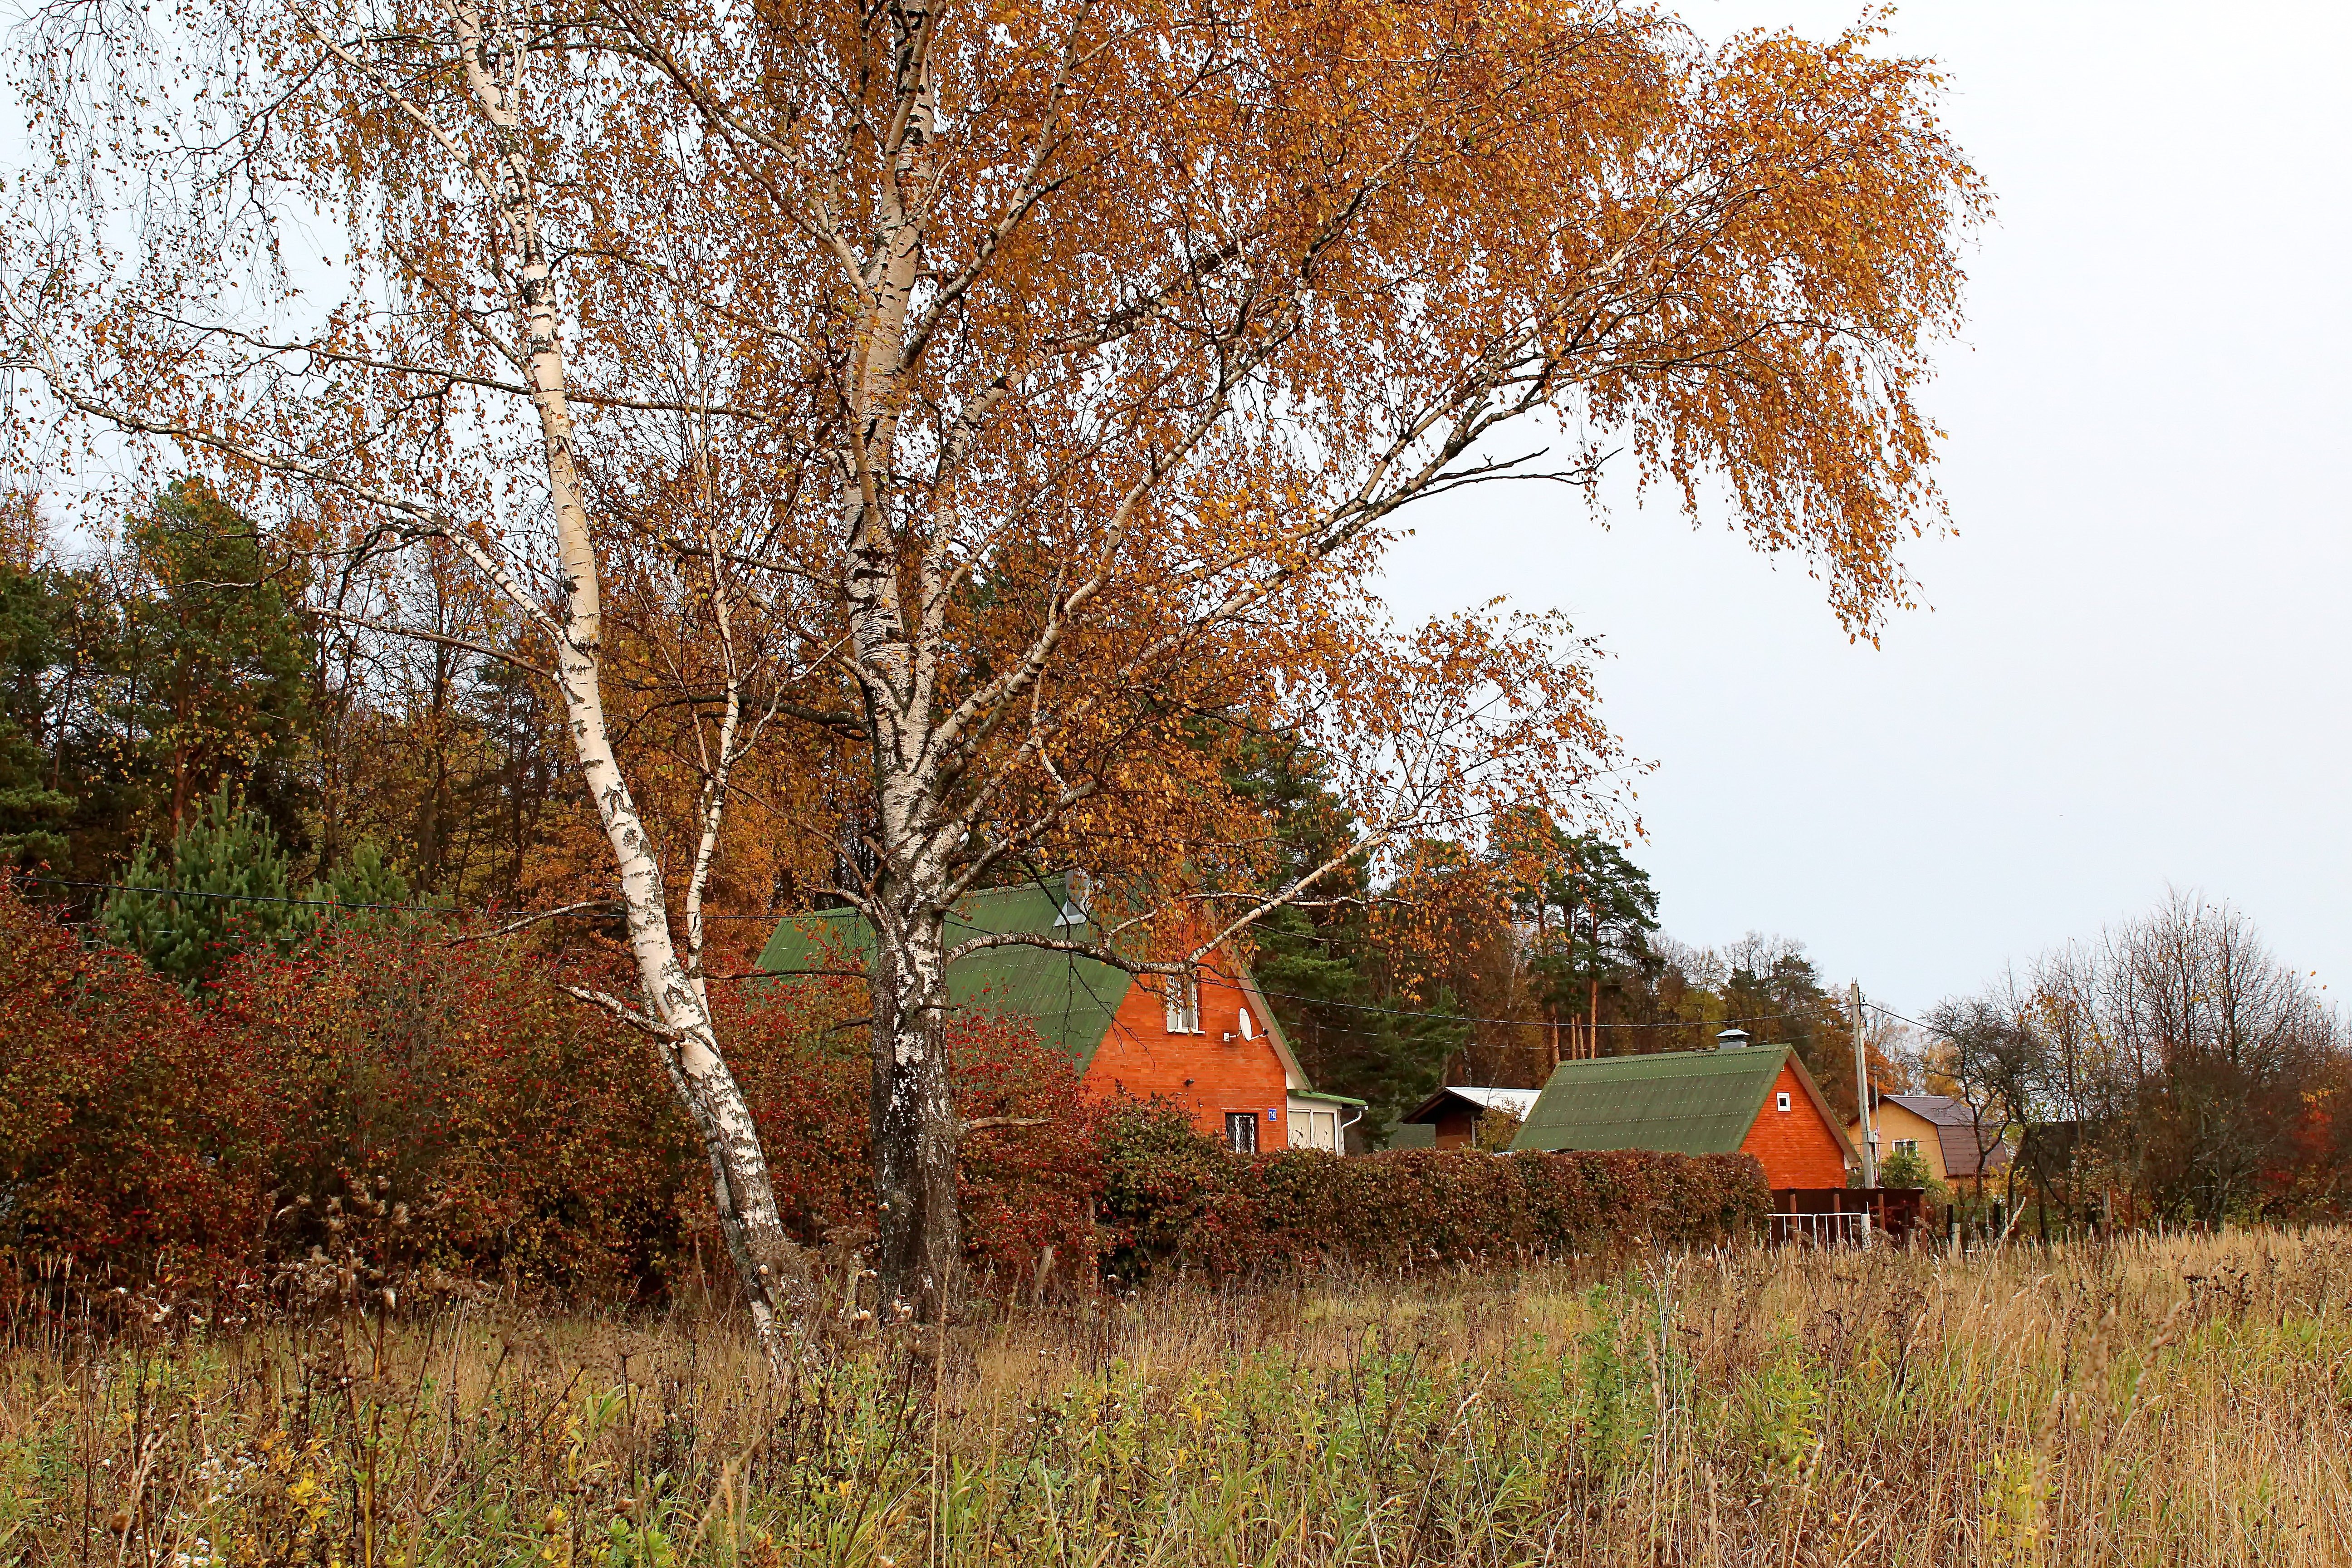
(1732, 1099)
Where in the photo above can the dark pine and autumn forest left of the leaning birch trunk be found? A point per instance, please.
(182, 655)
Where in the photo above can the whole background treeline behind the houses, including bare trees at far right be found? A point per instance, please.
(185, 709)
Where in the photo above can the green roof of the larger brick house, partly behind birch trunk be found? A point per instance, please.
(1067, 998)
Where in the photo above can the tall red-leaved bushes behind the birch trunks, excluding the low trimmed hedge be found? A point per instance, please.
(516, 1132)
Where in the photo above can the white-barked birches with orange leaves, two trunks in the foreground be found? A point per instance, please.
(1013, 401)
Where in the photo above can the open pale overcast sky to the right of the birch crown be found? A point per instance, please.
(2137, 664)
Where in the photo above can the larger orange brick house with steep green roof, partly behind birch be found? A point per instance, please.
(1205, 1043)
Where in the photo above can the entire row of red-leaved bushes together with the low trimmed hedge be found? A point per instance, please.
(523, 1137)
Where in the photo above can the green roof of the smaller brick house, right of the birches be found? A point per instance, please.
(1673, 1101)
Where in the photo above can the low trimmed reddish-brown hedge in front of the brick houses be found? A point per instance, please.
(1180, 1200)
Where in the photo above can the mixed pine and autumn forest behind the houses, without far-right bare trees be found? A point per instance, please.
(187, 709)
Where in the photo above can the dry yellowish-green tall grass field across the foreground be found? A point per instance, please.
(2151, 1402)
